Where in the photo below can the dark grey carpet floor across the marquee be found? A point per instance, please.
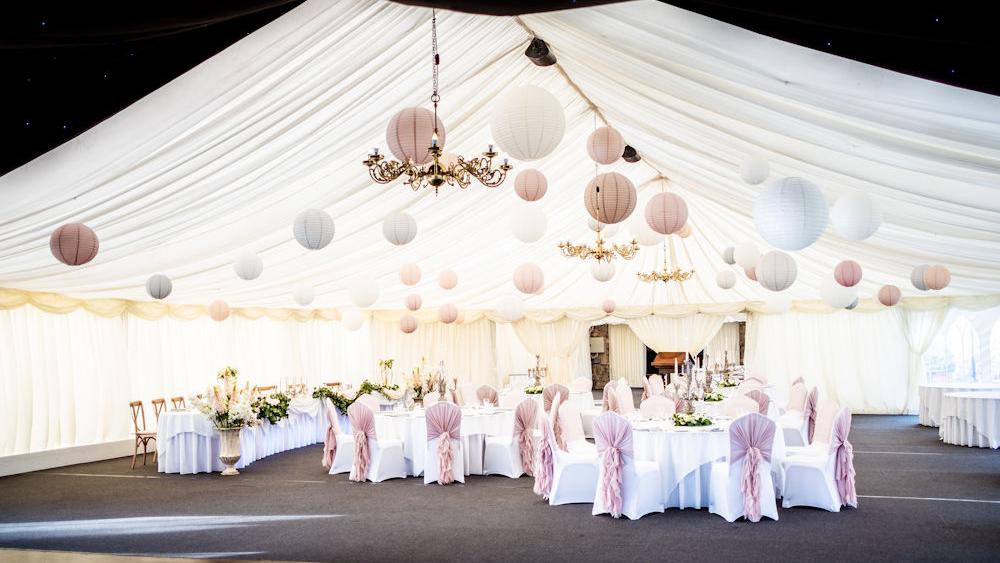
(921, 500)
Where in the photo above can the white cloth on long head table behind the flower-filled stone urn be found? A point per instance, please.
(187, 442)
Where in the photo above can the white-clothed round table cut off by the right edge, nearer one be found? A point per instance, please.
(971, 418)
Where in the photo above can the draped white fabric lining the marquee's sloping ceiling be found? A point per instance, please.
(221, 160)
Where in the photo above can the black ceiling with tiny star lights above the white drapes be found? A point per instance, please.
(67, 66)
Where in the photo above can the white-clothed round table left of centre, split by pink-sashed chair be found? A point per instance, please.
(410, 427)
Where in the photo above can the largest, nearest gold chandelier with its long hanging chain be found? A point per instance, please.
(455, 171)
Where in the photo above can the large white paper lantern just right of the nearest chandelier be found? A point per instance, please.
(528, 122)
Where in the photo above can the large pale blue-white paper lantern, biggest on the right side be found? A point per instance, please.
(790, 214)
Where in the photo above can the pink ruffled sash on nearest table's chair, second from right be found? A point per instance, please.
(751, 437)
